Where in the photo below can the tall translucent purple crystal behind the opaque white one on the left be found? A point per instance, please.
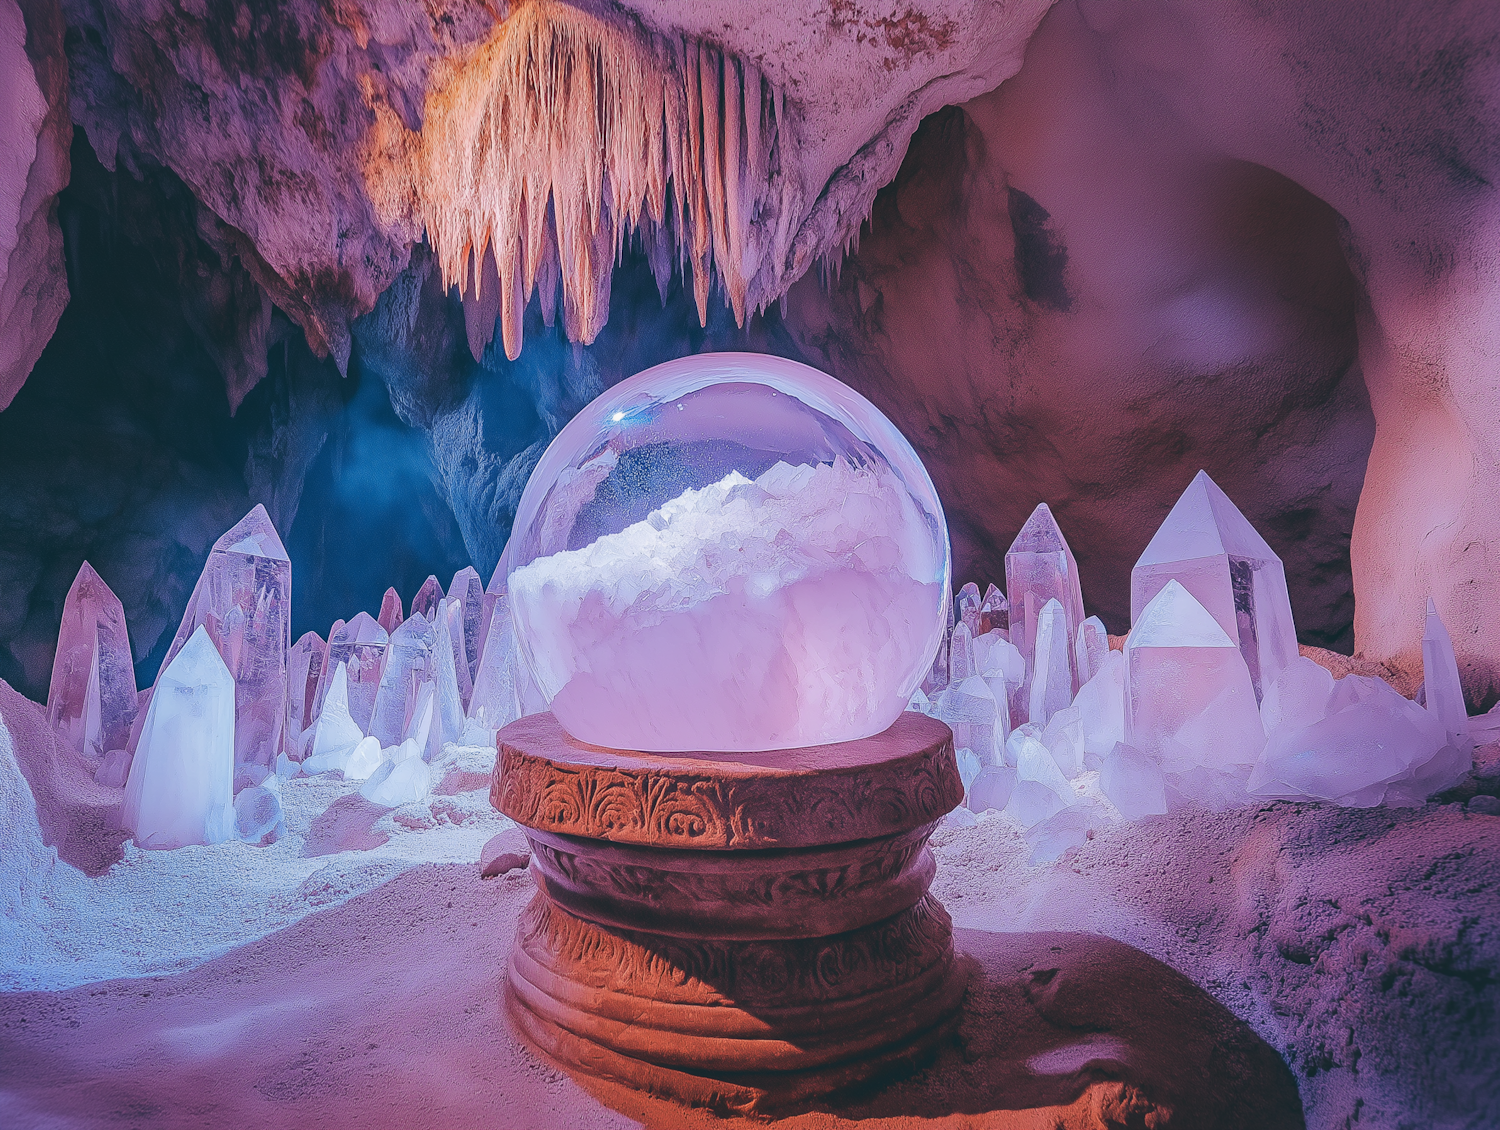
(244, 600)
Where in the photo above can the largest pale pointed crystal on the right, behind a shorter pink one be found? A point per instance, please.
(1213, 551)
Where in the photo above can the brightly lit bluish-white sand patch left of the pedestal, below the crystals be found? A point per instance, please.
(169, 912)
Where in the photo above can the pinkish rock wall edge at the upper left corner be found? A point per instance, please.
(35, 133)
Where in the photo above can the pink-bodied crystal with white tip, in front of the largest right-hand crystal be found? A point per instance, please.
(1189, 700)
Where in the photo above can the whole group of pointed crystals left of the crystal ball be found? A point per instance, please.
(236, 711)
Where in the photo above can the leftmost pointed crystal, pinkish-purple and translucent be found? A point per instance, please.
(92, 700)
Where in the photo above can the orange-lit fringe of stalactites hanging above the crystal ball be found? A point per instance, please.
(568, 136)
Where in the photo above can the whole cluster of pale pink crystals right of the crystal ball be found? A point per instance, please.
(1208, 703)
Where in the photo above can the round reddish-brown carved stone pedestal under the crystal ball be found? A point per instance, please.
(731, 930)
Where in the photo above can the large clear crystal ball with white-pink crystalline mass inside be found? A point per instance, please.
(728, 553)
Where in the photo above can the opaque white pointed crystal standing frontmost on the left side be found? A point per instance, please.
(181, 789)
